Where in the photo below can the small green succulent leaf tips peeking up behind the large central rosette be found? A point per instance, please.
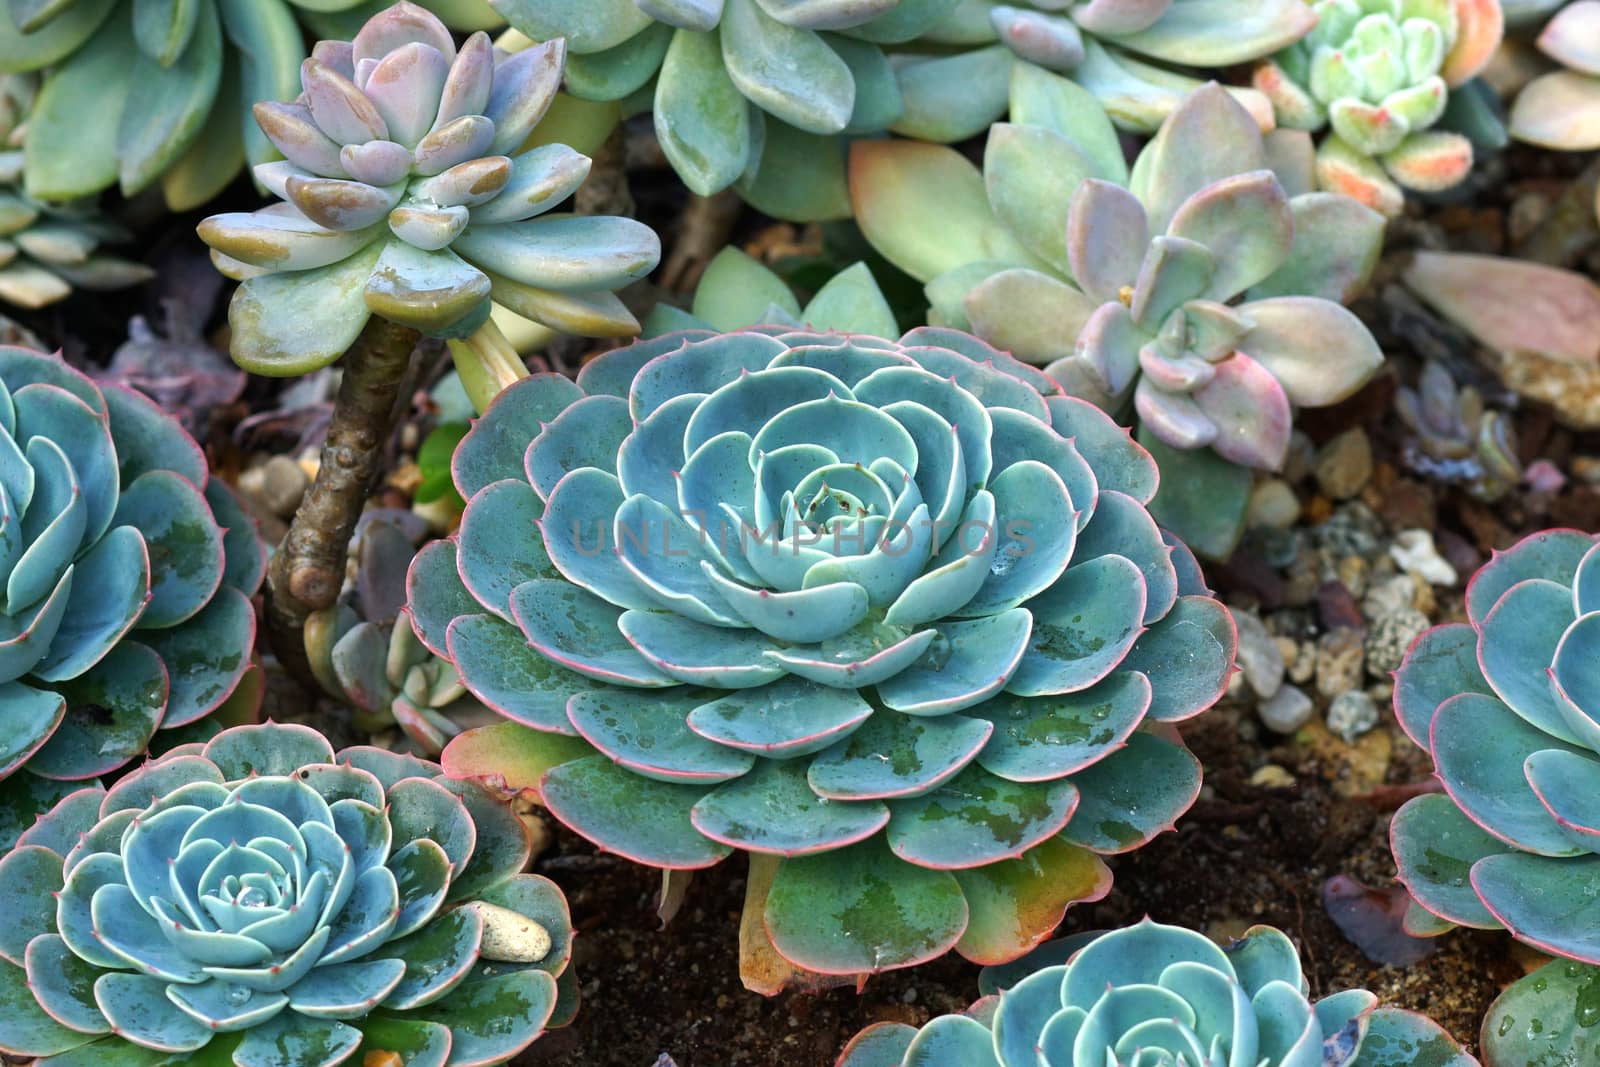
(737, 292)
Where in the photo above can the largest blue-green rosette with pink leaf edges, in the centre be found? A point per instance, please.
(889, 617)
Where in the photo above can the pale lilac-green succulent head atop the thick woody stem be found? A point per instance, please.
(402, 201)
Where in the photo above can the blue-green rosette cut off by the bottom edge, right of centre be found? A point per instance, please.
(1153, 996)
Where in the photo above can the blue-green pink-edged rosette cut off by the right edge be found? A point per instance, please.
(1510, 708)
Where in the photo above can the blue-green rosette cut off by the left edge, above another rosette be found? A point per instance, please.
(129, 573)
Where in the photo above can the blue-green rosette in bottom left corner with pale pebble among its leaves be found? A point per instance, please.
(263, 903)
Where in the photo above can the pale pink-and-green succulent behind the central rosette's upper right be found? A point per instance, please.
(1204, 282)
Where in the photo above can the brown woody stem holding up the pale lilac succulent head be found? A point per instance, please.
(308, 569)
